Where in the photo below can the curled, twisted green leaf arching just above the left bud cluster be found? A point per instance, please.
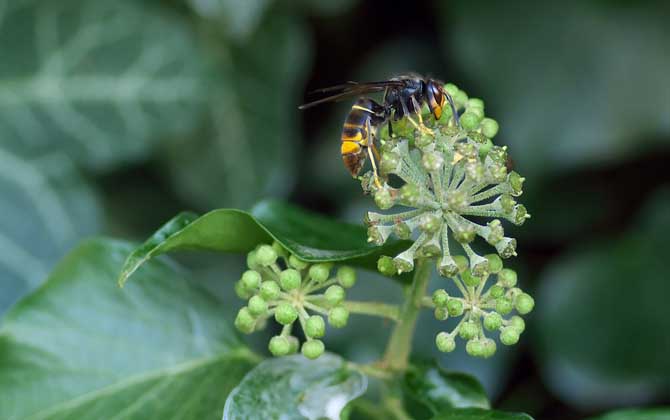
(311, 237)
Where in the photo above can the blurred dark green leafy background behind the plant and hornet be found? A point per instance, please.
(580, 89)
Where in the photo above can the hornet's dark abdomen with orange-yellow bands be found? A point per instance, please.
(356, 134)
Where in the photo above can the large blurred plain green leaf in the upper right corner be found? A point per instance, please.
(555, 114)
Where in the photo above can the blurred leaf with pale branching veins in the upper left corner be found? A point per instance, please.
(100, 80)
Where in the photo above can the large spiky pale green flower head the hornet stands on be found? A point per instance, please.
(452, 172)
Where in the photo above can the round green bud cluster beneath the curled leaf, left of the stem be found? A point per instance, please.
(280, 285)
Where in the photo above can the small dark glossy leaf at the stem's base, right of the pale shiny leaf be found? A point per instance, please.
(432, 387)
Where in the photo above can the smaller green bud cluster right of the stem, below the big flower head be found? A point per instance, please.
(482, 309)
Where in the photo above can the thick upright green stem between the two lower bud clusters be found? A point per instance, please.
(400, 343)
